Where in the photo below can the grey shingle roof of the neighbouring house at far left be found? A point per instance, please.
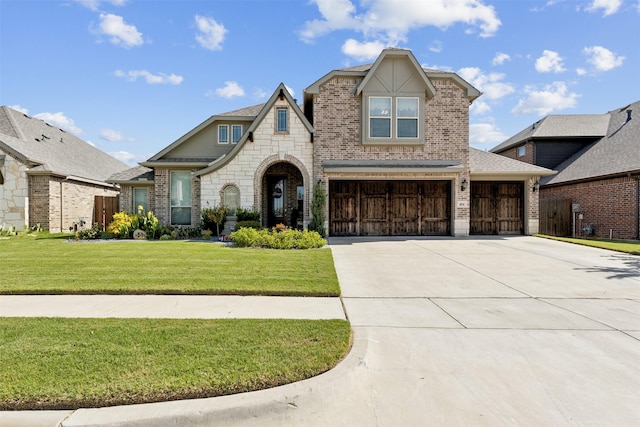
(50, 150)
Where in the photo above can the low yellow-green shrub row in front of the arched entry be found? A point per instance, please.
(274, 239)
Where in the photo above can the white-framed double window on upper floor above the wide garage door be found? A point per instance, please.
(393, 118)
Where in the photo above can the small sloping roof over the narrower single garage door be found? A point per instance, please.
(484, 163)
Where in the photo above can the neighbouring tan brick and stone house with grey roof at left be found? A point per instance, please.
(49, 177)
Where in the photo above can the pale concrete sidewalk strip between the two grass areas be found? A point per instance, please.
(171, 306)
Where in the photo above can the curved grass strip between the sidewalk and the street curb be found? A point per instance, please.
(71, 363)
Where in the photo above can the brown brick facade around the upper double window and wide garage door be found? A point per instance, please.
(337, 123)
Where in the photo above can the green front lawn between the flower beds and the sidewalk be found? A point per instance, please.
(56, 266)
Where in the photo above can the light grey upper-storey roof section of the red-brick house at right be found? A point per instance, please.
(559, 126)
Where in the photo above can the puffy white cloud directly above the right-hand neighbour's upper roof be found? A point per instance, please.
(553, 97)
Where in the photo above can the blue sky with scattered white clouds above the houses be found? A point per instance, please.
(132, 76)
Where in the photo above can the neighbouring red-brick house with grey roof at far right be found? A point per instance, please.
(596, 191)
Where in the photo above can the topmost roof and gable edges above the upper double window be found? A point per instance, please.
(366, 72)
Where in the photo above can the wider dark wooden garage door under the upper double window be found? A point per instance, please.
(390, 208)
